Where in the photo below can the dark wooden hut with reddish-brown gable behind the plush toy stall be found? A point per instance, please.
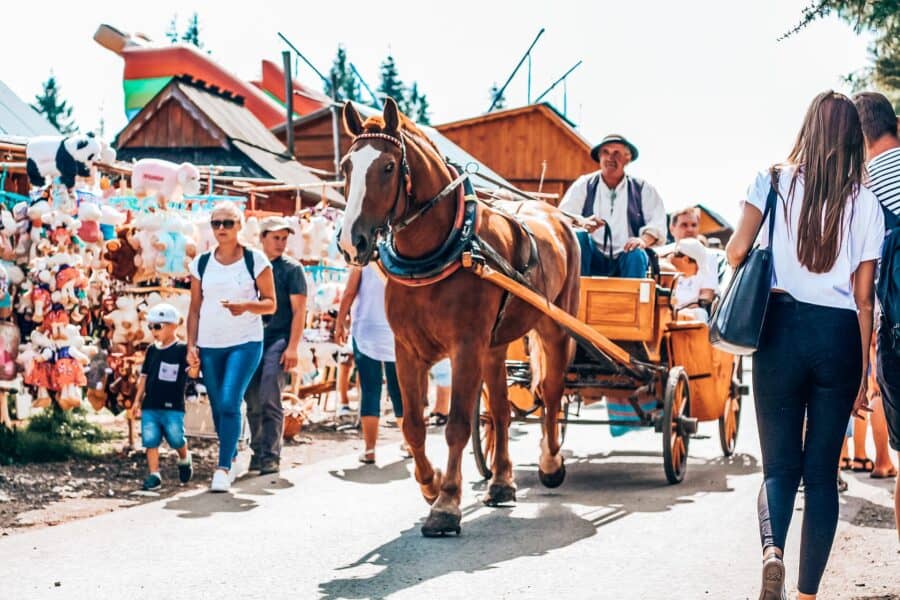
(188, 121)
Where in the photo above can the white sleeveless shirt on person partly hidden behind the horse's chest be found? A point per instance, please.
(368, 321)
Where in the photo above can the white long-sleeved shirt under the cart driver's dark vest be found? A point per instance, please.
(615, 212)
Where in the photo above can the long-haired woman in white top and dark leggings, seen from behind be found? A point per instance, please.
(809, 369)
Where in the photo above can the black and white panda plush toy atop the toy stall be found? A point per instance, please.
(64, 157)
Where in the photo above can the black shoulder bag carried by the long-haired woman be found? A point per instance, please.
(736, 323)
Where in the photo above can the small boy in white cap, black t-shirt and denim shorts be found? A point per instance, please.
(159, 401)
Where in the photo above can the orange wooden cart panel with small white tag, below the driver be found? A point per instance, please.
(620, 309)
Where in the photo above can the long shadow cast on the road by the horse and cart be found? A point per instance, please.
(614, 485)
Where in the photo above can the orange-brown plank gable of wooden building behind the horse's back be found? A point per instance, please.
(526, 145)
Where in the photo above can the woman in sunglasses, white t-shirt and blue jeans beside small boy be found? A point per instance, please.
(231, 288)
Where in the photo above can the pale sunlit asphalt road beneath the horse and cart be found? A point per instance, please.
(336, 529)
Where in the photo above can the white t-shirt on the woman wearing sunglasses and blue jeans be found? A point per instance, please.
(217, 327)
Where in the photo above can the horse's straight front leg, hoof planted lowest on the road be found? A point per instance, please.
(445, 514)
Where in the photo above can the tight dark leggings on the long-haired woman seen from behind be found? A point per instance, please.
(808, 367)
